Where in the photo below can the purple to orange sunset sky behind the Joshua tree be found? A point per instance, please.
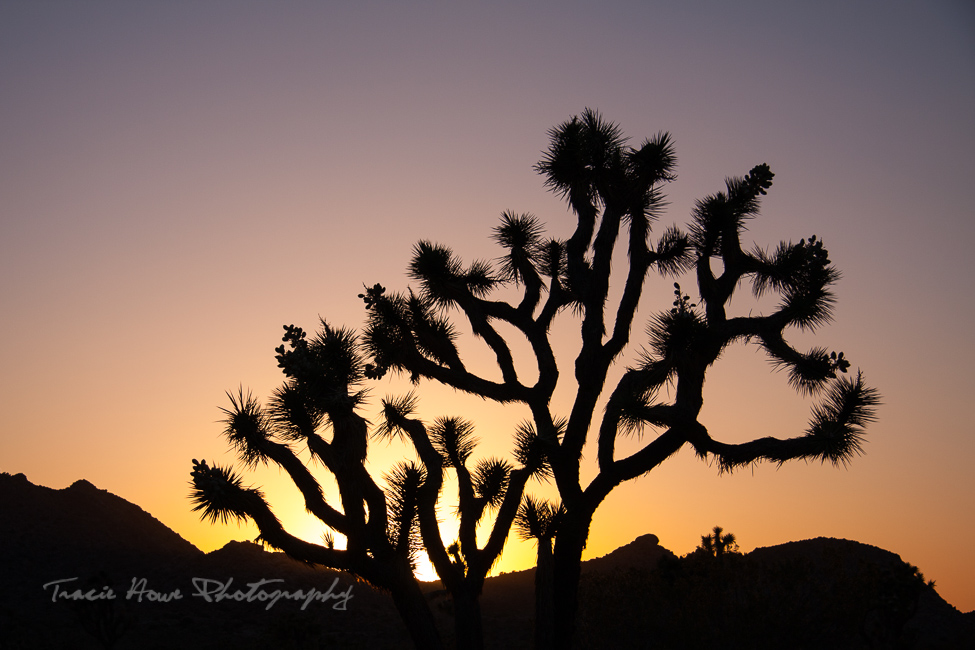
(178, 180)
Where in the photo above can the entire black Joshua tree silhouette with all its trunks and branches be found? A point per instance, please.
(616, 194)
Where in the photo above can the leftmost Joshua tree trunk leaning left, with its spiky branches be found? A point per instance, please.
(321, 389)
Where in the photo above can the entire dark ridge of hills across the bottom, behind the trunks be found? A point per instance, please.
(821, 593)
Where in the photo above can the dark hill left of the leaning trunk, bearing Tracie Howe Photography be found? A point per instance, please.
(101, 541)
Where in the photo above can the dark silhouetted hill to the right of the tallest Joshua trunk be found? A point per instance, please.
(820, 593)
